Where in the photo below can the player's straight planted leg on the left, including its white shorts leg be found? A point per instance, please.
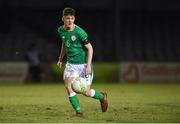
(69, 75)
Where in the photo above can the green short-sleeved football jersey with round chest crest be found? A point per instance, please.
(73, 40)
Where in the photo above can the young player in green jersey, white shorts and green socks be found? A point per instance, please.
(79, 52)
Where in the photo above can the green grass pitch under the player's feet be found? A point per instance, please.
(127, 103)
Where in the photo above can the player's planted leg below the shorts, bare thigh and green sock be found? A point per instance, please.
(72, 96)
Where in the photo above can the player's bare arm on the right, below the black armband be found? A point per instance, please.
(90, 55)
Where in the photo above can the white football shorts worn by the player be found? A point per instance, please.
(75, 70)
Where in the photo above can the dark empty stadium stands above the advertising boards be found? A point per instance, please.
(119, 30)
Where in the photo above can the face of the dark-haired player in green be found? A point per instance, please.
(68, 21)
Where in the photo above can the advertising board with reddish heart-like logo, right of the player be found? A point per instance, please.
(148, 72)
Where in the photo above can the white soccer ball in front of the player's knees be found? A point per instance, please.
(79, 85)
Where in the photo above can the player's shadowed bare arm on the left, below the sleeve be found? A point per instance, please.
(61, 56)
